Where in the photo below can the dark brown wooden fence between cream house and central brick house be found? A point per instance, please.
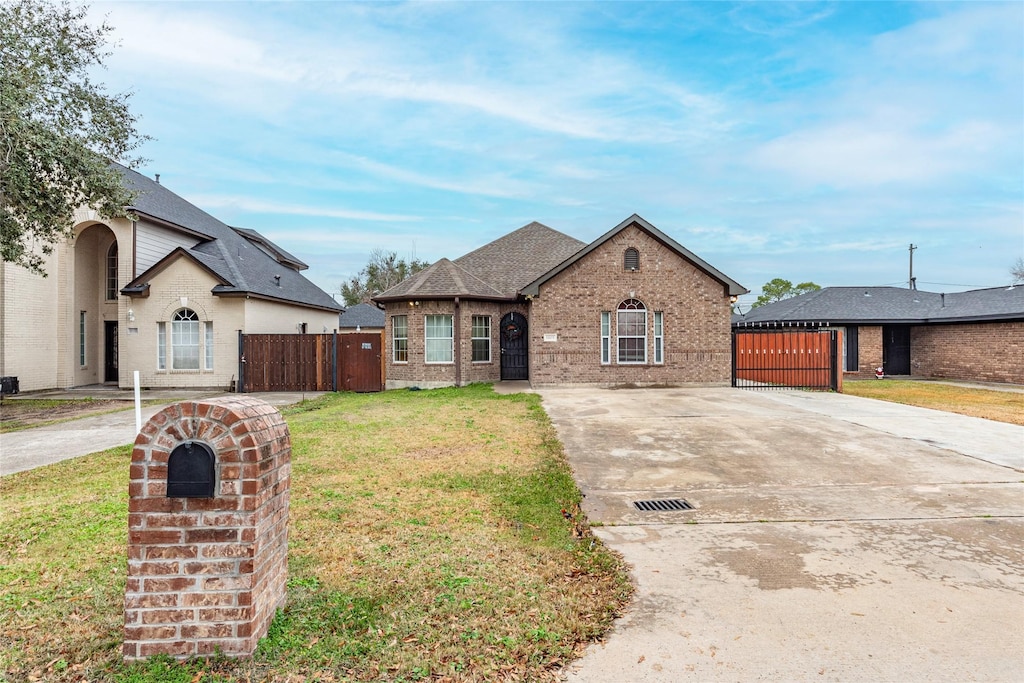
(311, 363)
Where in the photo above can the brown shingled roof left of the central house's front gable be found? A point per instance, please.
(496, 271)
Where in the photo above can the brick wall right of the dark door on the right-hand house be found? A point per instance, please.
(988, 353)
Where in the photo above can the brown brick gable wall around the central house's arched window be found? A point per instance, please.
(698, 341)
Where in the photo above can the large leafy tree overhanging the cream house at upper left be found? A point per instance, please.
(59, 129)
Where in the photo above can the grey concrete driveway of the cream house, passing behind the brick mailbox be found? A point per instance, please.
(29, 449)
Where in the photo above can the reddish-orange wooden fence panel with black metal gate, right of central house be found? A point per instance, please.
(777, 360)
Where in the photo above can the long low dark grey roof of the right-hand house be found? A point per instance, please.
(866, 306)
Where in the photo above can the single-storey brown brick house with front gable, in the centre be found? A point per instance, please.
(632, 308)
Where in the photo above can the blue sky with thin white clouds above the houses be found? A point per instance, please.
(810, 142)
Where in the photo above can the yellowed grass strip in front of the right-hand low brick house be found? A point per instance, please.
(991, 405)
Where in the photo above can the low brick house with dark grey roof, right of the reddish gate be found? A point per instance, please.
(974, 336)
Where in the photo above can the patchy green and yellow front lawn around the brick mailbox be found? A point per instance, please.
(426, 542)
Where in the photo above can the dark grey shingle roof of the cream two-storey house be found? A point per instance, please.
(234, 254)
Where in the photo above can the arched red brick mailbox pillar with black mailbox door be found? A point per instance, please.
(207, 529)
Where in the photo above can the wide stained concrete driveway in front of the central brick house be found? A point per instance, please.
(834, 538)
